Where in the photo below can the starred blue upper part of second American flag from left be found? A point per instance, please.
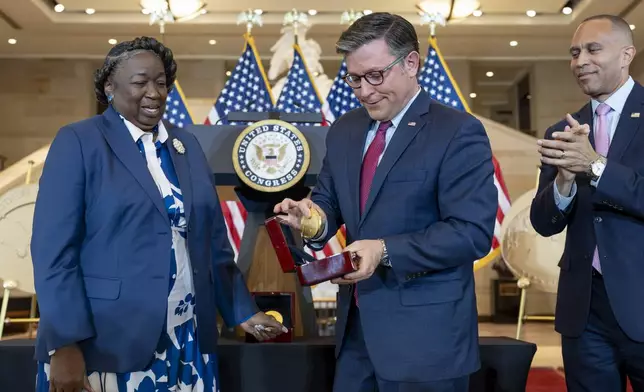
(246, 90)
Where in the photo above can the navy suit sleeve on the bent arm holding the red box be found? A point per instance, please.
(467, 200)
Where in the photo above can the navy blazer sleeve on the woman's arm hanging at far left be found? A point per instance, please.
(58, 231)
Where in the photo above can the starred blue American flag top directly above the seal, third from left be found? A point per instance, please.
(299, 94)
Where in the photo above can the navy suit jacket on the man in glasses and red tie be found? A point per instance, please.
(434, 202)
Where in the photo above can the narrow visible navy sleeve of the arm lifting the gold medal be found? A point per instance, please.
(325, 195)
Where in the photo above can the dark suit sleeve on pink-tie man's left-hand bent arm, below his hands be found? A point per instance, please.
(546, 218)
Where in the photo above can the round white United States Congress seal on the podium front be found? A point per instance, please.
(271, 156)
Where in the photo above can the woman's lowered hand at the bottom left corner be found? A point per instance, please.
(67, 371)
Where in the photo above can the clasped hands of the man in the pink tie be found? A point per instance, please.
(570, 151)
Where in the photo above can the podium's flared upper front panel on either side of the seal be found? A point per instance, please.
(218, 142)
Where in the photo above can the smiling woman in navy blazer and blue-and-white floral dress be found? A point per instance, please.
(130, 251)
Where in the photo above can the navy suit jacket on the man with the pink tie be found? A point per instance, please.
(610, 217)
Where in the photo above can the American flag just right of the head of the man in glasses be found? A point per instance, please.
(437, 80)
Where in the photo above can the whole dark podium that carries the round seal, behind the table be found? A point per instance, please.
(257, 259)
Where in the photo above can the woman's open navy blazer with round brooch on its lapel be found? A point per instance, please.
(101, 247)
